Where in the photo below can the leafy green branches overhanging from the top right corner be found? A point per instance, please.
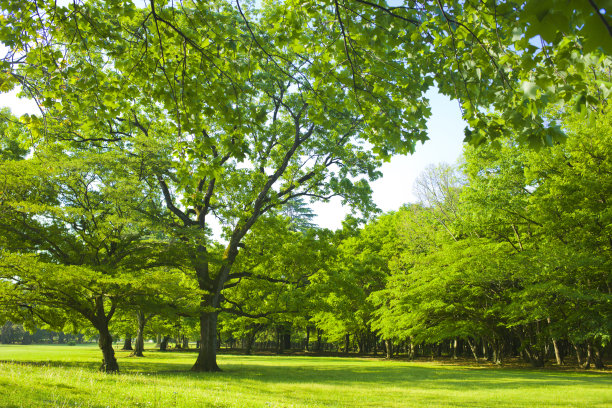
(505, 62)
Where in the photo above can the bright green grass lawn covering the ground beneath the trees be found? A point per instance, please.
(66, 376)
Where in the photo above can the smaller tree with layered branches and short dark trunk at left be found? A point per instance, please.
(75, 249)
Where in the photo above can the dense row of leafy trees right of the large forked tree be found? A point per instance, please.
(510, 251)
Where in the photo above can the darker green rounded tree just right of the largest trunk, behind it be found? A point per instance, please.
(271, 283)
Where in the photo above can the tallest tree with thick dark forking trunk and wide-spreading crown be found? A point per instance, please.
(224, 130)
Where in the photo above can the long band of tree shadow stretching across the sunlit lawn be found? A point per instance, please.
(340, 372)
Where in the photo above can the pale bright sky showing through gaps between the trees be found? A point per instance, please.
(395, 187)
